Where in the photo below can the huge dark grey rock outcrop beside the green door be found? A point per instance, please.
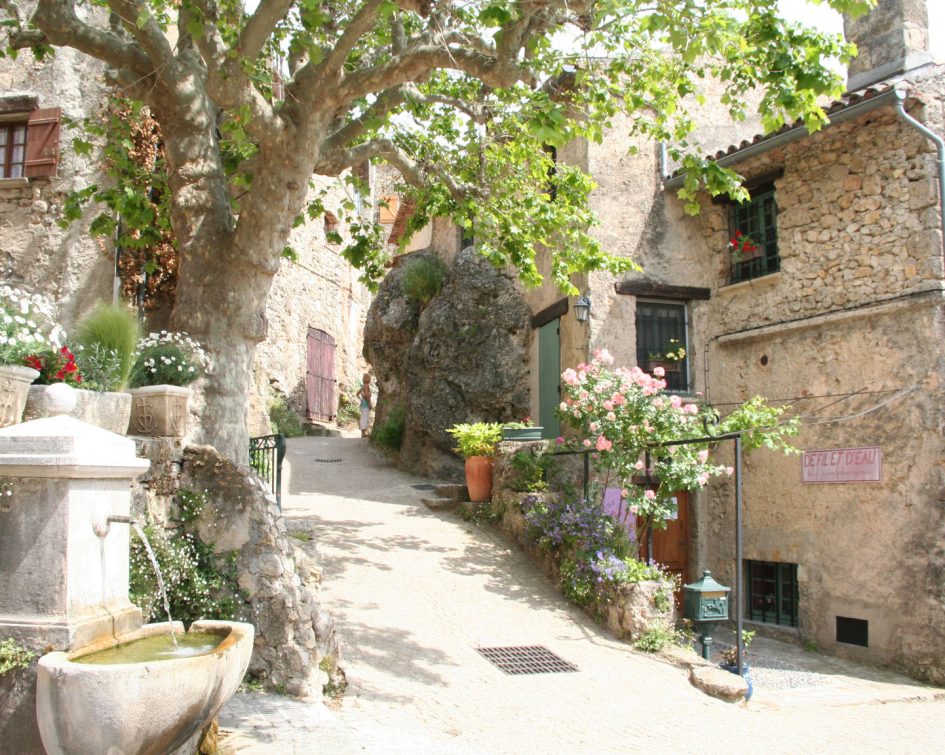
(462, 358)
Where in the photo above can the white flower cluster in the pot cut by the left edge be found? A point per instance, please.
(26, 325)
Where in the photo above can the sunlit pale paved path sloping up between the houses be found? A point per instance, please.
(416, 592)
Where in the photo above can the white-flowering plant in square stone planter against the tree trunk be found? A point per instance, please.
(166, 364)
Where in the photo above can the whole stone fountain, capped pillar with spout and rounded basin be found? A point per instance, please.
(64, 593)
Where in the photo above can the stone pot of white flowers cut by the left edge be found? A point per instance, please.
(26, 326)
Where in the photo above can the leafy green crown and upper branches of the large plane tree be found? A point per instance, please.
(464, 99)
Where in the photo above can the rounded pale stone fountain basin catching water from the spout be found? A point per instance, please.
(144, 708)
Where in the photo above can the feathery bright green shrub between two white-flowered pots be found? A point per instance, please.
(106, 340)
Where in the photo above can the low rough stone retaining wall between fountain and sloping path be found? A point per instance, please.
(240, 521)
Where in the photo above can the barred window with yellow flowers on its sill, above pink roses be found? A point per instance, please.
(661, 330)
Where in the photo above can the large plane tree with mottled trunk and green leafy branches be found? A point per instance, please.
(464, 99)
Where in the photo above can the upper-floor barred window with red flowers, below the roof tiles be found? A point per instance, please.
(756, 219)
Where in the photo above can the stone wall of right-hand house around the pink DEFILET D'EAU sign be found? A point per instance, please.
(856, 307)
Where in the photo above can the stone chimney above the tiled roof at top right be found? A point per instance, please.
(892, 38)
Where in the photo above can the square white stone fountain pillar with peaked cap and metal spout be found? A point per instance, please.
(61, 584)
